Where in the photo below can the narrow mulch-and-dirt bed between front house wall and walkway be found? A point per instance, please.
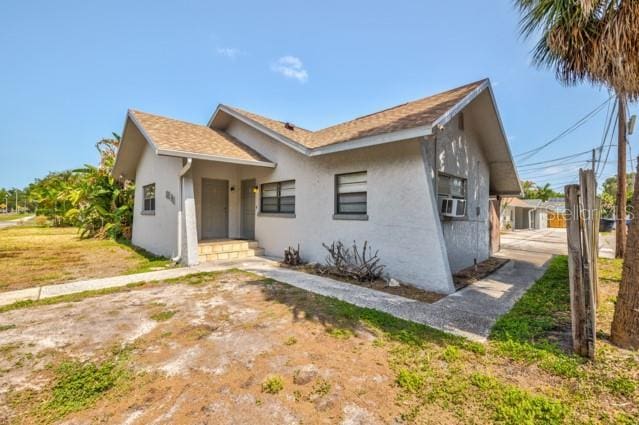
(401, 290)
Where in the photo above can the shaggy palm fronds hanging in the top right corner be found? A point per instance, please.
(586, 40)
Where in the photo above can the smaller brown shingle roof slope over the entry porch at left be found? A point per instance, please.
(174, 135)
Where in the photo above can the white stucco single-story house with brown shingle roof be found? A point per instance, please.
(415, 181)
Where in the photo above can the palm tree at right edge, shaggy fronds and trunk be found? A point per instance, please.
(597, 41)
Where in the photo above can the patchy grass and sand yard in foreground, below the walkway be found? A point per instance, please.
(226, 347)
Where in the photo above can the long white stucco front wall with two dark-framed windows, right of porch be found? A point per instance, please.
(402, 225)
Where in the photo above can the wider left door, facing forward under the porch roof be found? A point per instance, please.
(215, 207)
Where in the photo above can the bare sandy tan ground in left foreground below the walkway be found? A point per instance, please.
(207, 363)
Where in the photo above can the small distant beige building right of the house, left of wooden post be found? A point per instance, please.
(523, 214)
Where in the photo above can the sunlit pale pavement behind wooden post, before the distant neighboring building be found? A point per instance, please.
(550, 241)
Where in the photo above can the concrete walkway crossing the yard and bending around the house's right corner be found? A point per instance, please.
(470, 312)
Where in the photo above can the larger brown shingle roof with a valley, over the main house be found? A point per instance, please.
(413, 114)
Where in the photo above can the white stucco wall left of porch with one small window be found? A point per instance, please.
(157, 233)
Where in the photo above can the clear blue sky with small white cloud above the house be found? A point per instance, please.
(70, 69)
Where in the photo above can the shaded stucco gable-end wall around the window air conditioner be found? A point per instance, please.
(457, 152)
